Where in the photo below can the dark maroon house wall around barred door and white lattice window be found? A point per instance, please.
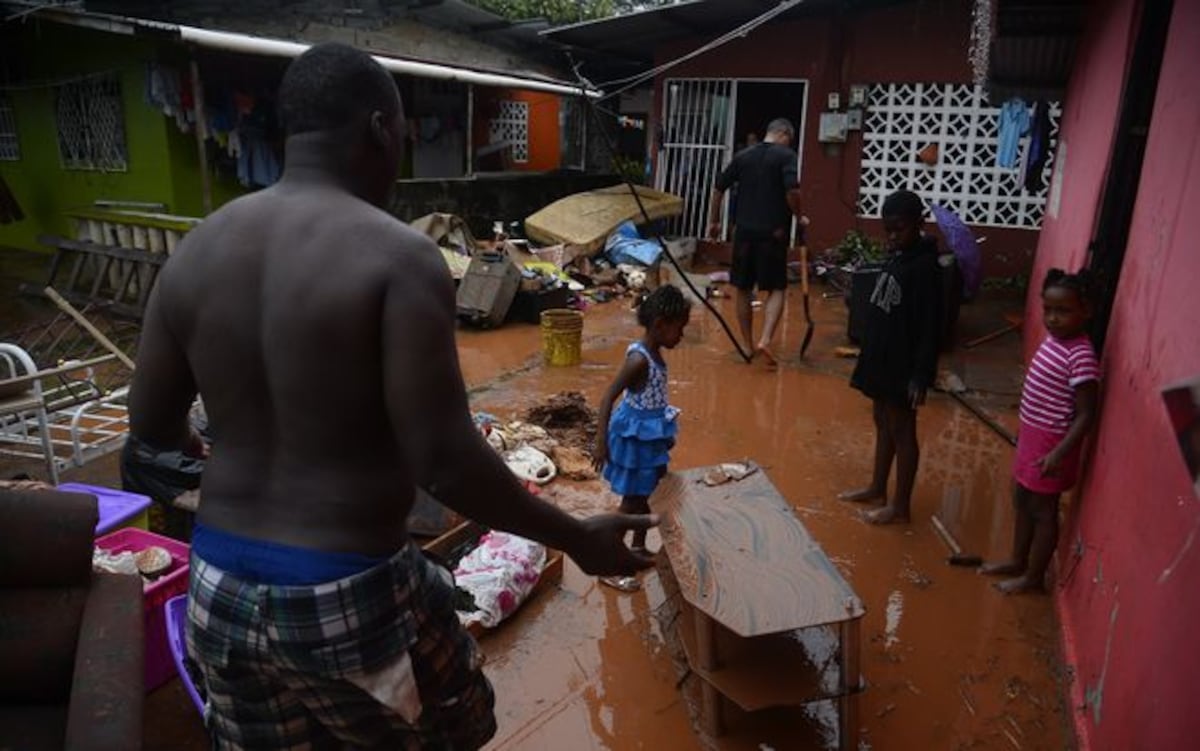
(917, 43)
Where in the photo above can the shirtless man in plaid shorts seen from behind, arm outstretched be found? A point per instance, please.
(320, 332)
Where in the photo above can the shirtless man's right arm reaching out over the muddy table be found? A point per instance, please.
(428, 405)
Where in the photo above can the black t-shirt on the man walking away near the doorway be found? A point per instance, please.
(764, 175)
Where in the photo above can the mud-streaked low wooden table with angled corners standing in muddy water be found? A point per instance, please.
(751, 581)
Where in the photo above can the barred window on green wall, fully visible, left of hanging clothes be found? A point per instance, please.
(92, 125)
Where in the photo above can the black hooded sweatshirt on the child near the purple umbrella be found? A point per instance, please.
(904, 326)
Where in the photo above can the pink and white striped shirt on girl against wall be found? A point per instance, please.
(1048, 400)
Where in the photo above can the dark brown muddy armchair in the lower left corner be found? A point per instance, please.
(71, 648)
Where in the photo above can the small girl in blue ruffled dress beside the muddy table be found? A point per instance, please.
(634, 446)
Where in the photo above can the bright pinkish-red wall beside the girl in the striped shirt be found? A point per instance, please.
(1130, 560)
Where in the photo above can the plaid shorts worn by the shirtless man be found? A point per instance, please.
(377, 660)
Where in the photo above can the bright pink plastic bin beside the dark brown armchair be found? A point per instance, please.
(159, 668)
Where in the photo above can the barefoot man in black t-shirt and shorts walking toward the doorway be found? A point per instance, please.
(769, 197)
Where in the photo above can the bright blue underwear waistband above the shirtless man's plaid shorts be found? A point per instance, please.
(262, 562)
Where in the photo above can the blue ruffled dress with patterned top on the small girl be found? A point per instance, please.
(641, 434)
